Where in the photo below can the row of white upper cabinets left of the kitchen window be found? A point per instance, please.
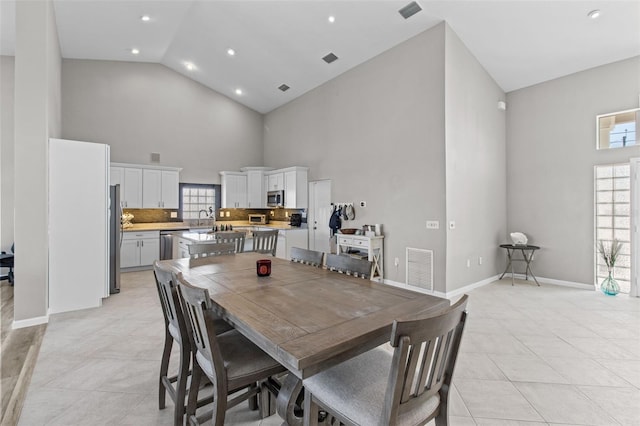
(144, 186)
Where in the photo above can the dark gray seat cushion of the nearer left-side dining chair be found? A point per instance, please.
(244, 361)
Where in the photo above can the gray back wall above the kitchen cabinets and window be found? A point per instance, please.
(140, 108)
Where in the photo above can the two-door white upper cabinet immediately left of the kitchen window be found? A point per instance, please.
(160, 188)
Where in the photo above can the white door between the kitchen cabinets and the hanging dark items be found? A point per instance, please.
(319, 215)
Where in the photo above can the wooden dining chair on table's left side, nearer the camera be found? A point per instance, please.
(229, 360)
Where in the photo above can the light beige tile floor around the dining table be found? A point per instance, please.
(530, 356)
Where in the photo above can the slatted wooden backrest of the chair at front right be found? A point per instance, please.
(424, 358)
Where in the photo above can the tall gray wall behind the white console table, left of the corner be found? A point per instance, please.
(377, 131)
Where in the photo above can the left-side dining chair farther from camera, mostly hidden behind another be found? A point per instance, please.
(175, 331)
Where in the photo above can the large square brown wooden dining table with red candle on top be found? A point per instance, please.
(306, 318)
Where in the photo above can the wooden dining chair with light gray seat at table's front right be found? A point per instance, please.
(409, 387)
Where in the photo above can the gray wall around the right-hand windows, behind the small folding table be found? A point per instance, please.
(550, 157)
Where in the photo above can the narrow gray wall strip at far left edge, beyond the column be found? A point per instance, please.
(6, 151)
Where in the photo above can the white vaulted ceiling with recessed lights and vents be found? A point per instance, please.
(519, 42)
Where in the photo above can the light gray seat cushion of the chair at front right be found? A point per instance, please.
(356, 389)
